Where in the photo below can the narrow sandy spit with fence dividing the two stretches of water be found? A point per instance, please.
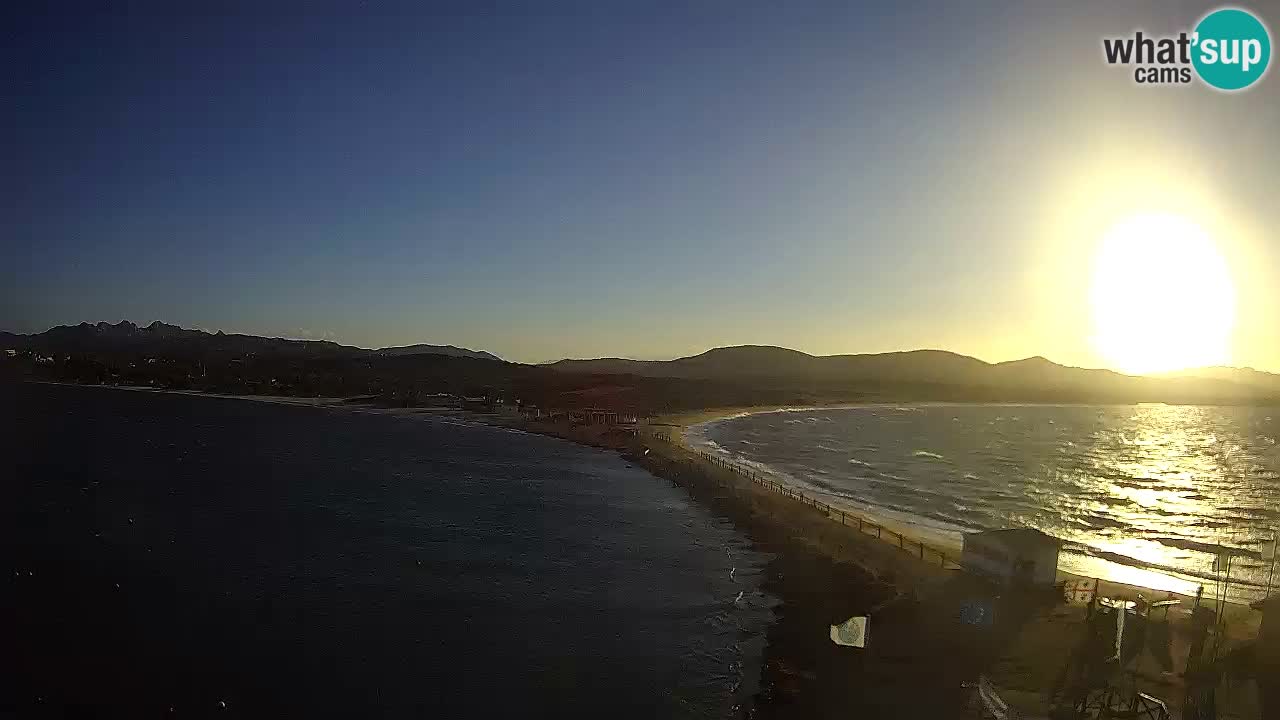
(824, 573)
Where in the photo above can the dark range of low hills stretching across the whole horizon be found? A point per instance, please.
(724, 376)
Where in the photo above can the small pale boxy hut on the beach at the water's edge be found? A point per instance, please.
(1022, 557)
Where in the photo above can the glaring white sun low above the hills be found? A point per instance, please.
(1163, 297)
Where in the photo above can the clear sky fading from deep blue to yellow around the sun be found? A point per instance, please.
(639, 180)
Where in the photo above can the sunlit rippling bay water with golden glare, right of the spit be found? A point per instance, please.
(1131, 487)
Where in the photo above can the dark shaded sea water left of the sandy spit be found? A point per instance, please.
(168, 552)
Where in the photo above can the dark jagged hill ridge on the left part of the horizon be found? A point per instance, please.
(163, 339)
